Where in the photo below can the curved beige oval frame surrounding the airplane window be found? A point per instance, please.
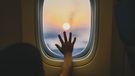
(77, 61)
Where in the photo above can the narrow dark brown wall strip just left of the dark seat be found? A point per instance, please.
(117, 64)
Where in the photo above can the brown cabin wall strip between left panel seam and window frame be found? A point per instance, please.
(28, 21)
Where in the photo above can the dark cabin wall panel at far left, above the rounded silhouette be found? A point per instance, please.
(10, 22)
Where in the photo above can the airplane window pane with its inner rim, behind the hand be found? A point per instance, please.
(74, 16)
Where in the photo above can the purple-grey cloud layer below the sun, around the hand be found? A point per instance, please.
(50, 39)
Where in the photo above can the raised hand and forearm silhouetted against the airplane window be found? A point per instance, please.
(66, 49)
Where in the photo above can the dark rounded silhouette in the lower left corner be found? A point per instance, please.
(20, 60)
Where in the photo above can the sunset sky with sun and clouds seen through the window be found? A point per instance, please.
(74, 14)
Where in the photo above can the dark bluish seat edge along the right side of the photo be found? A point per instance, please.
(125, 14)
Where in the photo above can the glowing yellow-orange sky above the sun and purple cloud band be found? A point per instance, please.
(75, 12)
